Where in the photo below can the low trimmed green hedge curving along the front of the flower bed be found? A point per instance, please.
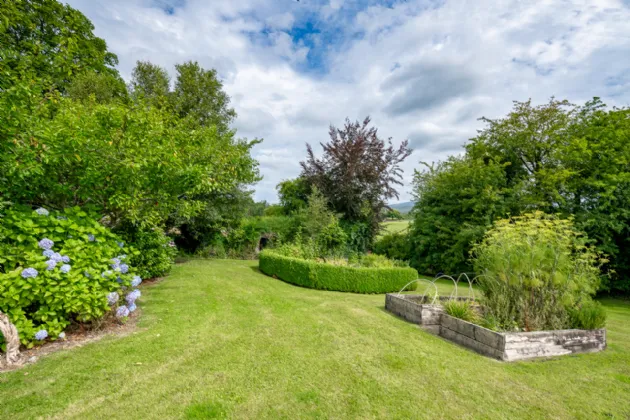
(323, 276)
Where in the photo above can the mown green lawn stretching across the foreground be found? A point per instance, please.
(217, 338)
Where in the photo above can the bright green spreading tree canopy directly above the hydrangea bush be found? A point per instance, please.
(132, 163)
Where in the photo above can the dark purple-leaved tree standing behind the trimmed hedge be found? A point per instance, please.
(357, 174)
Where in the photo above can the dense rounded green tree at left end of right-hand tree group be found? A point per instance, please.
(457, 200)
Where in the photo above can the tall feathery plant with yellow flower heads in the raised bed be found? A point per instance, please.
(534, 270)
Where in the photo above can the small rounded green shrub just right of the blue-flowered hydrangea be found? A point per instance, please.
(156, 251)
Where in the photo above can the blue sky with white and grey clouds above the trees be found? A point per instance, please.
(423, 70)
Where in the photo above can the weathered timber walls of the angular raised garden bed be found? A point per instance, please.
(505, 346)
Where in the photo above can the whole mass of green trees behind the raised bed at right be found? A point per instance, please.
(557, 158)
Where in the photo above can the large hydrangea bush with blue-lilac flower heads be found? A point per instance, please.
(57, 268)
